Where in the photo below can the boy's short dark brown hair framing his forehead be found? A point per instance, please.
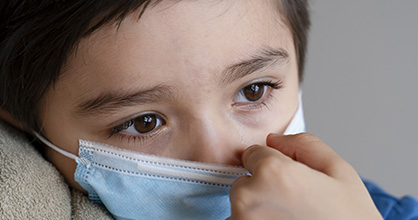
(36, 37)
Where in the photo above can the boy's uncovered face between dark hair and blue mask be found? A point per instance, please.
(191, 80)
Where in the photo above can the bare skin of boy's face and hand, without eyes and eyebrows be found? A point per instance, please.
(187, 47)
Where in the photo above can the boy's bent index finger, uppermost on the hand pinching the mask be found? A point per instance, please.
(311, 151)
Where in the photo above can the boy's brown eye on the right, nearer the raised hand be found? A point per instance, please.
(254, 92)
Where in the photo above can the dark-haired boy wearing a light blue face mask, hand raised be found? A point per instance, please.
(188, 80)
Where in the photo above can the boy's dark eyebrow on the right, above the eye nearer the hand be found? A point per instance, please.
(264, 58)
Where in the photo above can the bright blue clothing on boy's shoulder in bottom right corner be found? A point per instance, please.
(405, 208)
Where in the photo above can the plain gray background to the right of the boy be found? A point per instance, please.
(360, 87)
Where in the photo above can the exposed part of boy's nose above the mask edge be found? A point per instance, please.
(216, 138)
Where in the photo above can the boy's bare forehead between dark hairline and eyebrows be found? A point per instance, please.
(189, 36)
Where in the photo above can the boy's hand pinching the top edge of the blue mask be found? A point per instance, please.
(299, 177)
